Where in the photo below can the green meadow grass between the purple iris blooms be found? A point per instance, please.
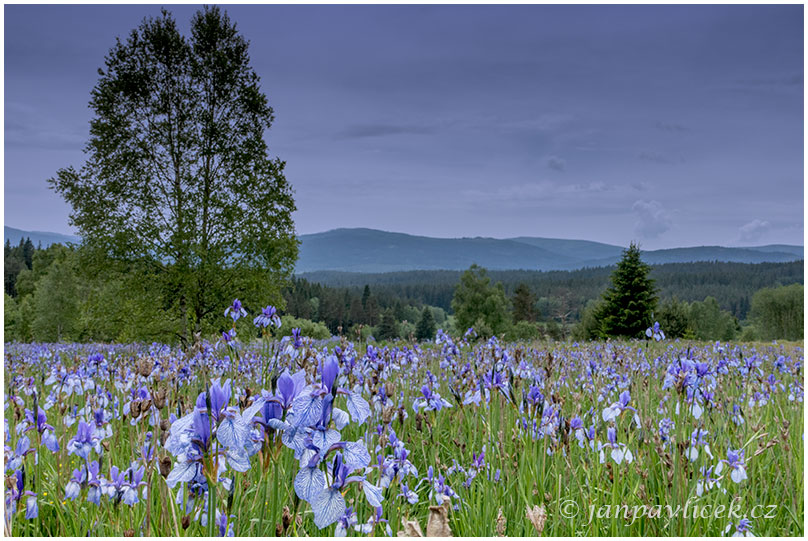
(548, 471)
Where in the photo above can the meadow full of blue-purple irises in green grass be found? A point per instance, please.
(459, 436)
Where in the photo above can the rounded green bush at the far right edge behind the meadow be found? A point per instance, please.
(779, 312)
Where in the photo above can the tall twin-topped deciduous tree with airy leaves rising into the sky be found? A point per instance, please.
(178, 176)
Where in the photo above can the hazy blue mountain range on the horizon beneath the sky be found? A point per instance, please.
(371, 250)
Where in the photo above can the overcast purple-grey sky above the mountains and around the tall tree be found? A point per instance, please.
(670, 125)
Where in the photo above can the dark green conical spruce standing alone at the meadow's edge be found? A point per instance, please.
(629, 303)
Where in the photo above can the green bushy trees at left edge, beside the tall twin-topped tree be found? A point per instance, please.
(51, 296)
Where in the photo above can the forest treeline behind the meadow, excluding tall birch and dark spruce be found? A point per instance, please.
(50, 296)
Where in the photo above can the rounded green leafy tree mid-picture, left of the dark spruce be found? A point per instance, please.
(477, 303)
